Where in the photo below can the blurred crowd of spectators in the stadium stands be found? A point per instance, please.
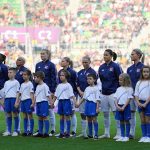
(88, 27)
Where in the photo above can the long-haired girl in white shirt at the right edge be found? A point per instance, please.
(142, 97)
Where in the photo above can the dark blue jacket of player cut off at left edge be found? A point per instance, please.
(3, 74)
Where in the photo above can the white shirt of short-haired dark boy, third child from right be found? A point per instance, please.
(92, 93)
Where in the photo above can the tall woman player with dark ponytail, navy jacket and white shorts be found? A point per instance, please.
(109, 75)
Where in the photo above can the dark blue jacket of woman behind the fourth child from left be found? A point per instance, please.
(72, 80)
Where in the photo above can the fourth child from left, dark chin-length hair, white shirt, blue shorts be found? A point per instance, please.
(64, 93)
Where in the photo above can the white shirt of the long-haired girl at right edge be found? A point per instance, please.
(142, 90)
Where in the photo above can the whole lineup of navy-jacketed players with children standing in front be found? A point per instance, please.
(120, 92)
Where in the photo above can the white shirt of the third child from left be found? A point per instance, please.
(42, 92)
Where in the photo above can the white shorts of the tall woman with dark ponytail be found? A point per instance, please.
(108, 103)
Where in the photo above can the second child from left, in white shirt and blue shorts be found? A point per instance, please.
(26, 95)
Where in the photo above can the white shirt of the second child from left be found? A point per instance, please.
(25, 90)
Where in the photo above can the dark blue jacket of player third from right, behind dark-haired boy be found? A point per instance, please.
(82, 78)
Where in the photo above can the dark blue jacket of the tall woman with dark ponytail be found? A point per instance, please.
(109, 76)
